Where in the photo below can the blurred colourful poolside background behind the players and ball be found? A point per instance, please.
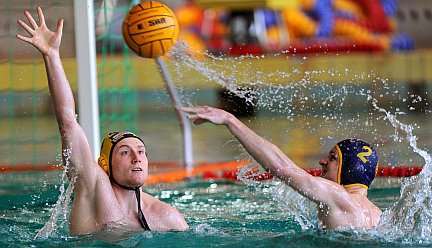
(273, 63)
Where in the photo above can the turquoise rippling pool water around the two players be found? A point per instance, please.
(220, 214)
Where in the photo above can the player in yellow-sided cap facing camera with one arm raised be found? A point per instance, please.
(107, 193)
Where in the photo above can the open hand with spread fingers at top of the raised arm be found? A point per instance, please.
(42, 38)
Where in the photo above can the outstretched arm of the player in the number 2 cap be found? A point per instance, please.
(266, 153)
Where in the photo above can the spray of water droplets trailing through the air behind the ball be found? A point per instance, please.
(260, 84)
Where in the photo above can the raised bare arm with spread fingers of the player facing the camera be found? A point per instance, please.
(72, 135)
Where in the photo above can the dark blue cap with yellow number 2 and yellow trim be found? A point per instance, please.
(358, 163)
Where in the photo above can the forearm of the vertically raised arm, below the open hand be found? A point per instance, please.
(61, 93)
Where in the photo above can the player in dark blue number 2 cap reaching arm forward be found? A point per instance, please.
(341, 191)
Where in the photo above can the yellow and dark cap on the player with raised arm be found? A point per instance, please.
(107, 147)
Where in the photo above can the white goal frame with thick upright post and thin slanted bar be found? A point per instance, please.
(88, 100)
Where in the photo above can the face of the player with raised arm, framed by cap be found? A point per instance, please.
(130, 163)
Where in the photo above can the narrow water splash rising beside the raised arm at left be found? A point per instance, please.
(60, 211)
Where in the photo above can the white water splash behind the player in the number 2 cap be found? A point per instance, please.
(411, 215)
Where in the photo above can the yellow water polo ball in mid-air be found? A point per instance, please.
(150, 29)
